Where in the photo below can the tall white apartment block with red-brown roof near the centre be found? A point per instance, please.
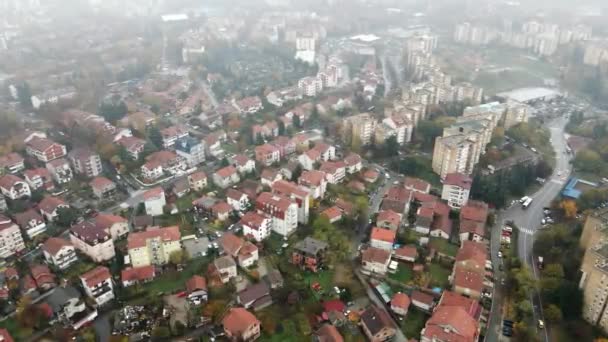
(282, 211)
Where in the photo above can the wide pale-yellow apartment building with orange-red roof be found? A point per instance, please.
(153, 246)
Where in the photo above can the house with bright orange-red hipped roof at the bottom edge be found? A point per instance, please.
(241, 325)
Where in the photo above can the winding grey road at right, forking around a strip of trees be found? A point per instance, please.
(529, 222)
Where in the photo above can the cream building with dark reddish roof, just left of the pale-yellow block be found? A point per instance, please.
(92, 241)
